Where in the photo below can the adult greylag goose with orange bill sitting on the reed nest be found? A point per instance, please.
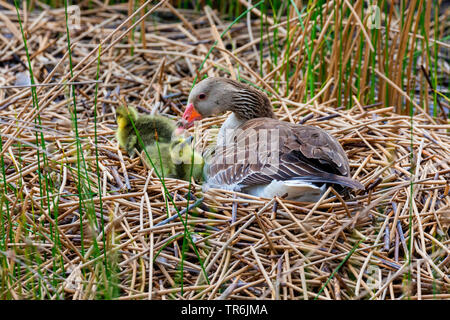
(260, 155)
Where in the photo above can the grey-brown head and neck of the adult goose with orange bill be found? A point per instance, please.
(214, 96)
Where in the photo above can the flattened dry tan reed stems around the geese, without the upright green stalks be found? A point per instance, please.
(389, 242)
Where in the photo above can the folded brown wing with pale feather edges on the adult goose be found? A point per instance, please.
(266, 149)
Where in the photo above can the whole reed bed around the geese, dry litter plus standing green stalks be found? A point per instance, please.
(81, 220)
